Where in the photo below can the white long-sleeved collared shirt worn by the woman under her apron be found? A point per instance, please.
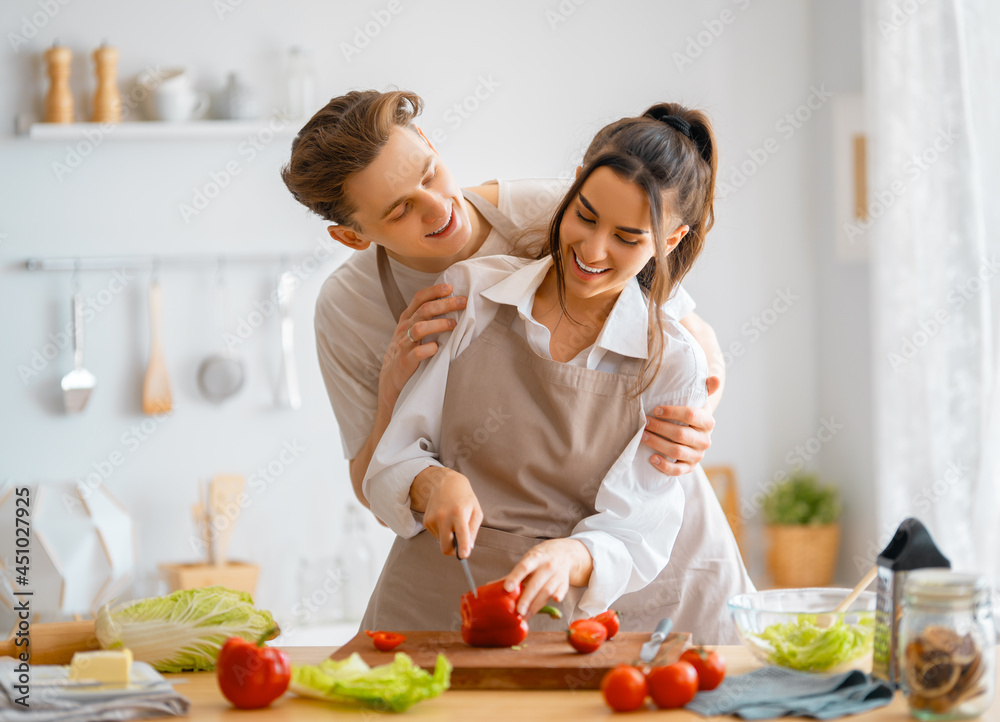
(639, 510)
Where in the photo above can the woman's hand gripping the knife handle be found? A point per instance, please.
(450, 507)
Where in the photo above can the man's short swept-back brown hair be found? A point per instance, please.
(342, 139)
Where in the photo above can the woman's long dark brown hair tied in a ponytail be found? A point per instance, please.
(668, 152)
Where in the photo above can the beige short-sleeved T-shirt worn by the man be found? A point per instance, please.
(353, 323)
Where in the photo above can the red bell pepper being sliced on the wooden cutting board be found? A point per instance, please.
(492, 619)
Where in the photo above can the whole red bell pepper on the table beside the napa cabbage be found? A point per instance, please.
(250, 675)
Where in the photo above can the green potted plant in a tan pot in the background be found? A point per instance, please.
(803, 532)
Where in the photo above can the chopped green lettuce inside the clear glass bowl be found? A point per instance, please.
(805, 645)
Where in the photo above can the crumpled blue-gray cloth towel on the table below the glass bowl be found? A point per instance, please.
(772, 692)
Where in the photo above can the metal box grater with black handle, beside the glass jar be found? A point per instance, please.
(911, 548)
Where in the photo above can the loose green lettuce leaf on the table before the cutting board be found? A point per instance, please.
(395, 686)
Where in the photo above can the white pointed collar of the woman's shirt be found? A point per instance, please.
(625, 330)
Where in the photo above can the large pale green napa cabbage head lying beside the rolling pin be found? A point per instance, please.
(184, 630)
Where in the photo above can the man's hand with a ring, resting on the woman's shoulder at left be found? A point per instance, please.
(406, 348)
